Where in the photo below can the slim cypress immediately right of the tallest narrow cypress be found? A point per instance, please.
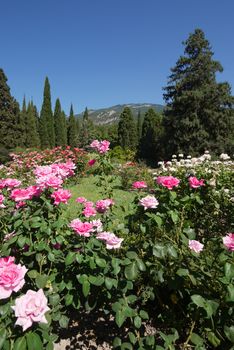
(60, 128)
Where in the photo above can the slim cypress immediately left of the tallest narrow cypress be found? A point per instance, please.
(32, 136)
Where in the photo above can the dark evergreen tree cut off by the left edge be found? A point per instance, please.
(9, 115)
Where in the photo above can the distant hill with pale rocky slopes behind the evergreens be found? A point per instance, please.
(111, 115)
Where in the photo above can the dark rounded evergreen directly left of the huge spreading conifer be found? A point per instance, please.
(150, 147)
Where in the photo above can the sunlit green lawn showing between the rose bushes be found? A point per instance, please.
(86, 187)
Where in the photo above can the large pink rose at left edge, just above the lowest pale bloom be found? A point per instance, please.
(11, 279)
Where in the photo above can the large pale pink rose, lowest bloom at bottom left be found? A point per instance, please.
(30, 308)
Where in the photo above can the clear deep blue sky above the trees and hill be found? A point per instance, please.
(98, 53)
